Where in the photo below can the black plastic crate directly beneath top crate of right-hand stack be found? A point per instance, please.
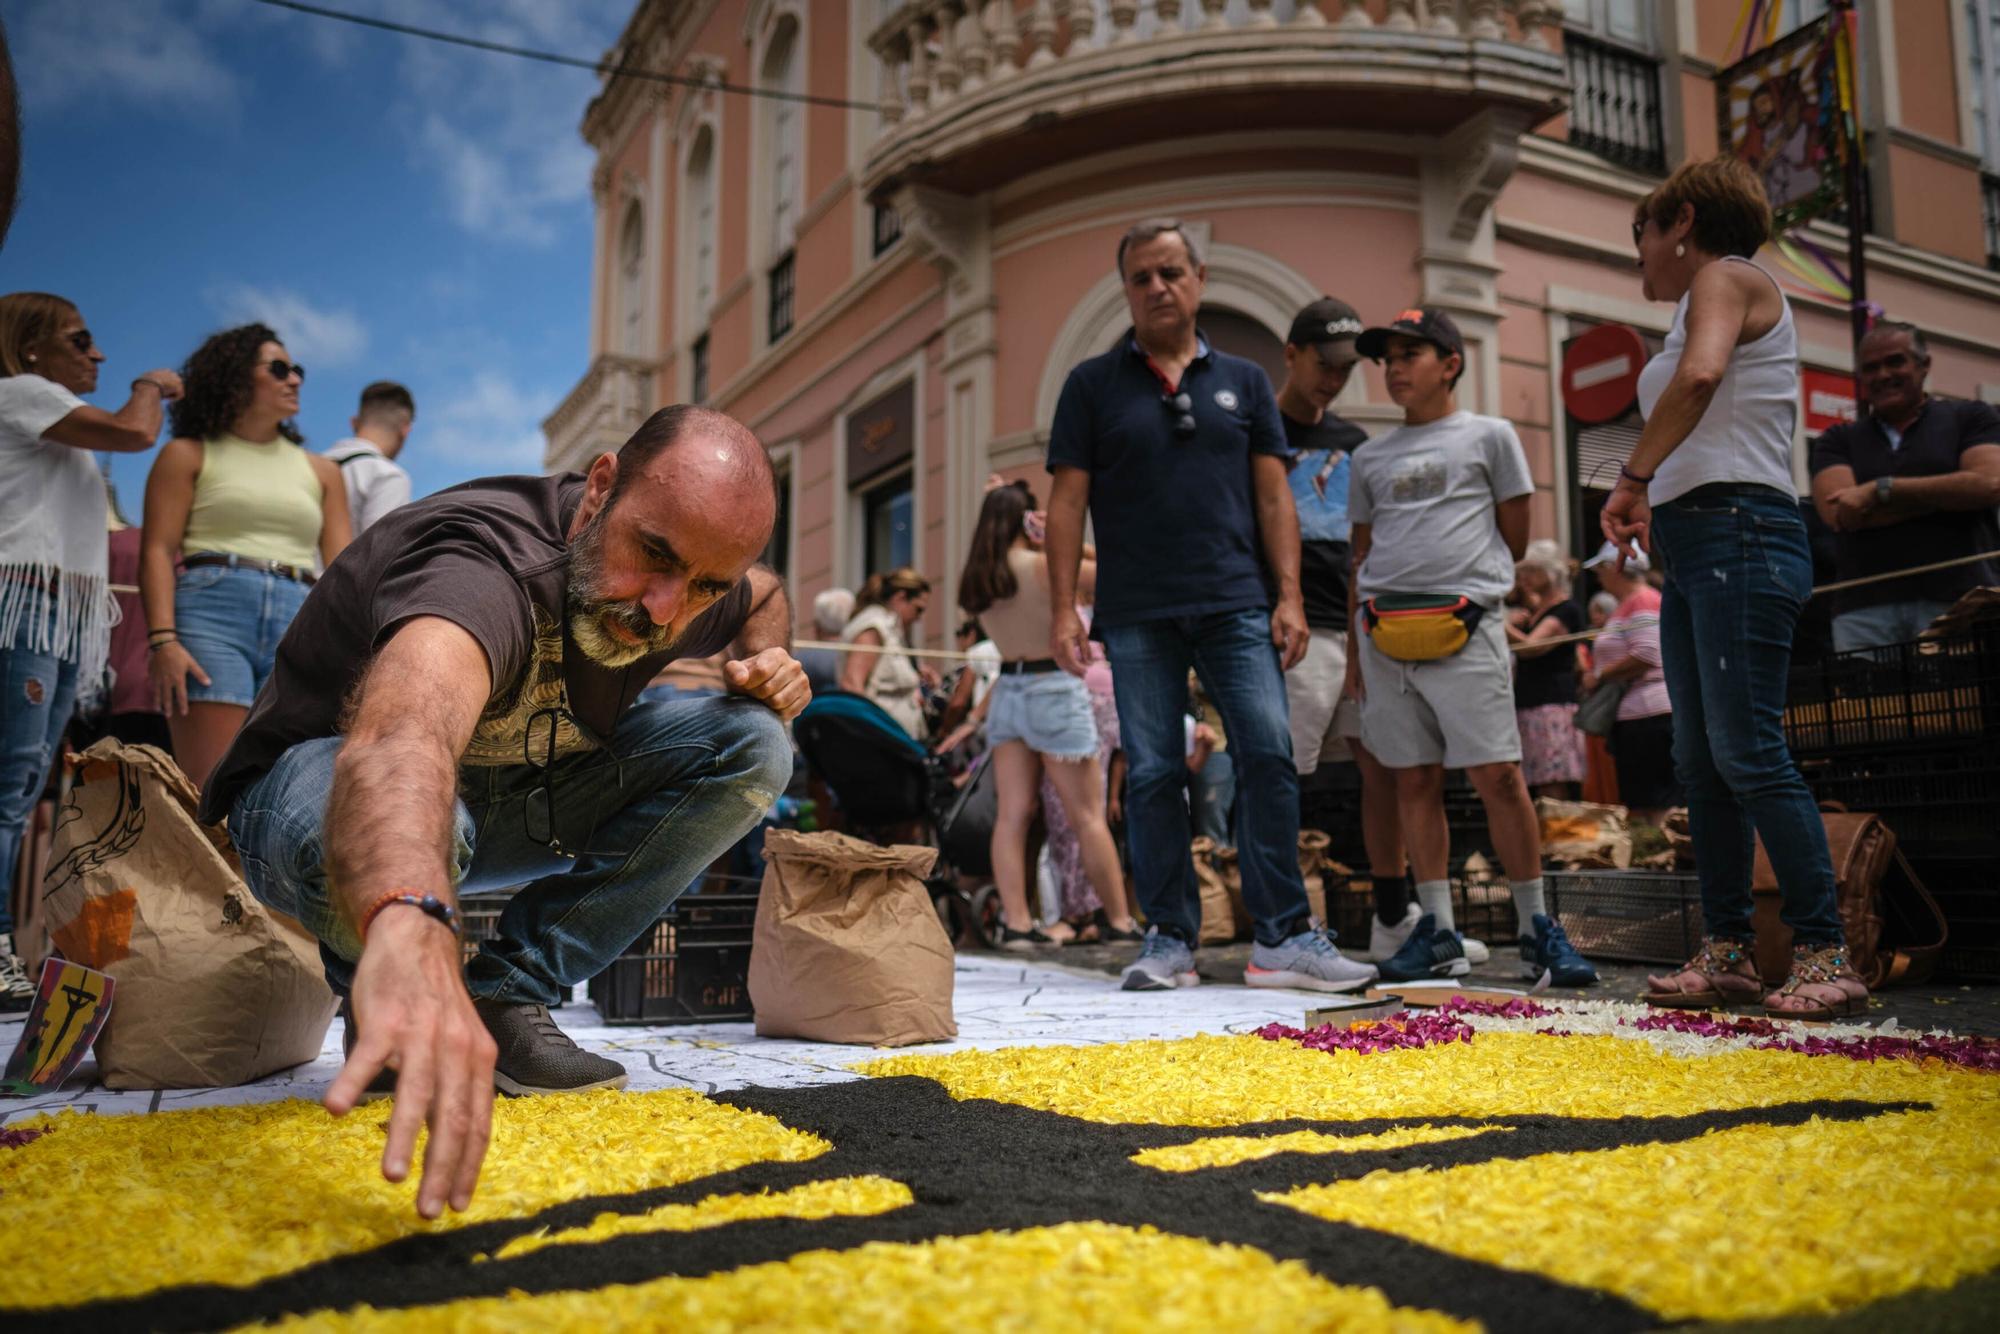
(1941, 801)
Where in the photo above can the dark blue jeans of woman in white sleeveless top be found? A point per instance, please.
(1737, 577)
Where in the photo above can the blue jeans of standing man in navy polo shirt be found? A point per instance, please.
(1239, 669)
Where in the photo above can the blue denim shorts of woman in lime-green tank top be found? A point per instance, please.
(231, 623)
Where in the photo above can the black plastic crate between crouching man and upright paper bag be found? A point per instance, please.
(691, 967)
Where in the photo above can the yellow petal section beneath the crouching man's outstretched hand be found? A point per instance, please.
(237, 1195)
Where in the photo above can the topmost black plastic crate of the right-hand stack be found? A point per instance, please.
(1899, 695)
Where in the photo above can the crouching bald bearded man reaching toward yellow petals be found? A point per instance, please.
(455, 707)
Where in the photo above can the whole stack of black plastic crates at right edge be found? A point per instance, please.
(1913, 733)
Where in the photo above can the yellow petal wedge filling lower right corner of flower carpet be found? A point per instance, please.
(1739, 1225)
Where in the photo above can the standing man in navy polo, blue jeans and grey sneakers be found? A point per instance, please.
(1179, 455)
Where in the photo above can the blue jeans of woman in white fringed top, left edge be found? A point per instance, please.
(37, 697)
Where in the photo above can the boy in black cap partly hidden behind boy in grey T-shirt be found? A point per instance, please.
(1319, 357)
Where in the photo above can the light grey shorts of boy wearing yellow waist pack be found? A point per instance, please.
(1453, 711)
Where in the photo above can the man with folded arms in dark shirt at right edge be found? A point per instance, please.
(1915, 481)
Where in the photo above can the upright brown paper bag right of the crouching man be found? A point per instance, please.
(849, 947)
